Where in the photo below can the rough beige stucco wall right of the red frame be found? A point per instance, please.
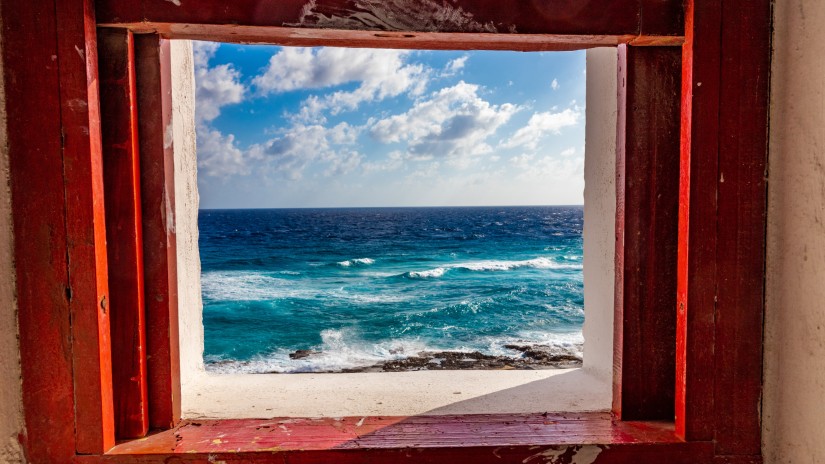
(794, 384)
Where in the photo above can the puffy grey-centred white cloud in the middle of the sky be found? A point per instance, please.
(453, 123)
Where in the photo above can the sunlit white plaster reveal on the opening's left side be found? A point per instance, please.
(186, 214)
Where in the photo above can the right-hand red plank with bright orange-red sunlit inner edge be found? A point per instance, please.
(697, 266)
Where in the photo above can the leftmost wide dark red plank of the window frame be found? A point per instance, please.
(30, 75)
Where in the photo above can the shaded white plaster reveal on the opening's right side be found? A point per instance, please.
(600, 211)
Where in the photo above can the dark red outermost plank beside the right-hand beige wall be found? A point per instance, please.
(743, 148)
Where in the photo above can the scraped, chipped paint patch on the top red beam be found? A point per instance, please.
(393, 15)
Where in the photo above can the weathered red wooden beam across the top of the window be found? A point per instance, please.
(488, 24)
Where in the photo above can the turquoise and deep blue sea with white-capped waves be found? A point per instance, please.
(362, 286)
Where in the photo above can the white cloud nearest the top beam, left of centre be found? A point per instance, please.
(380, 73)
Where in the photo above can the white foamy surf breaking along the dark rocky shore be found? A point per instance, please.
(342, 349)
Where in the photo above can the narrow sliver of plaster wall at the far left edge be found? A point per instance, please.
(11, 396)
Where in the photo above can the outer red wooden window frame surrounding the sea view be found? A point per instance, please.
(720, 256)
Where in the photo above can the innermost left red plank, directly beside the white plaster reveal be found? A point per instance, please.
(154, 87)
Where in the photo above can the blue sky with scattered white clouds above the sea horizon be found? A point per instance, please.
(288, 127)
